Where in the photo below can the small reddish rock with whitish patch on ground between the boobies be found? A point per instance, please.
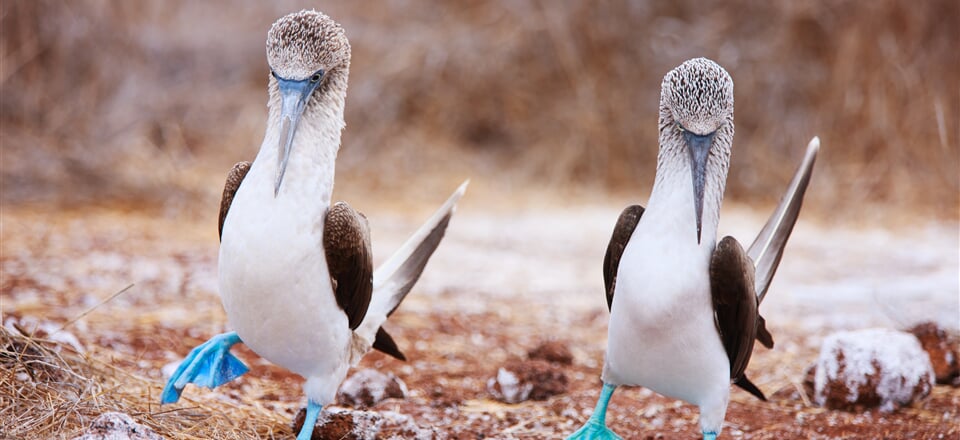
(518, 381)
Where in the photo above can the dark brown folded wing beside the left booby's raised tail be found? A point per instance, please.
(346, 243)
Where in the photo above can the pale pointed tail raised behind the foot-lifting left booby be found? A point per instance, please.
(395, 277)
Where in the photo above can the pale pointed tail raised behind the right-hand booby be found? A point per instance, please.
(767, 248)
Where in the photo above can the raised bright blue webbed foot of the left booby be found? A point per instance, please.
(209, 365)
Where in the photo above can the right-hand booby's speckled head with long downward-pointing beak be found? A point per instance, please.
(696, 115)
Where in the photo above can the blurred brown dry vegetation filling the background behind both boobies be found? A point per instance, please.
(134, 102)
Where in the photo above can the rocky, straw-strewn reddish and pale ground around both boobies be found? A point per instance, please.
(503, 283)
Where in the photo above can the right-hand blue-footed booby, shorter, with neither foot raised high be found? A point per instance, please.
(684, 308)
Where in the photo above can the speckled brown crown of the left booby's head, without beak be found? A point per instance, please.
(303, 43)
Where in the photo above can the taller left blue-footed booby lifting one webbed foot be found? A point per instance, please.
(296, 273)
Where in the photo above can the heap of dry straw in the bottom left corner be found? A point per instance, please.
(48, 390)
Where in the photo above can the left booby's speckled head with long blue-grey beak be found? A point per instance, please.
(309, 56)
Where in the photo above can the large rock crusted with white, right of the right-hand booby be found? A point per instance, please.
(871, 368)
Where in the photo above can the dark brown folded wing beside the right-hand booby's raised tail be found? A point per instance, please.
(735, 306)
